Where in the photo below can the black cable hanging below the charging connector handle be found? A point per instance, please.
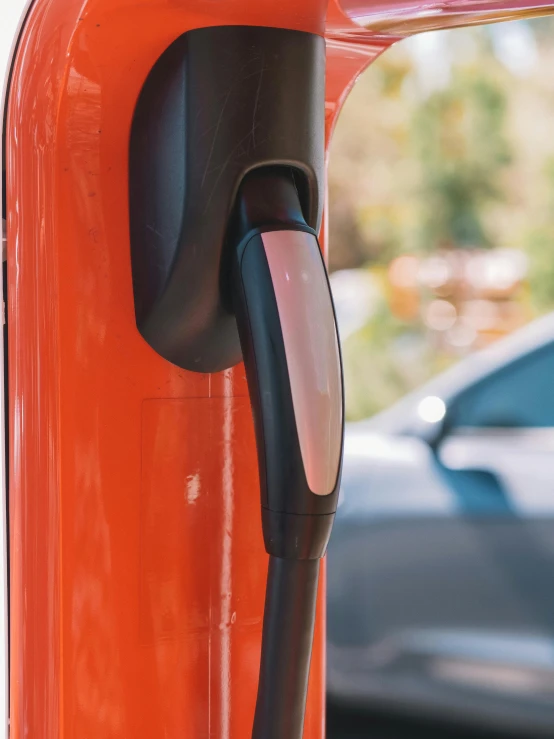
(288, 632)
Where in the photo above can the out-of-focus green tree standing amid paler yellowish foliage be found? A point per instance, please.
(458, 137)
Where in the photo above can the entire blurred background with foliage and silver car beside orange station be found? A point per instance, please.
(441, 564)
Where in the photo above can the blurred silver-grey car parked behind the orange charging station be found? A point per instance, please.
(441, 563)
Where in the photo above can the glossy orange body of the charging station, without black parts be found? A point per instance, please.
(137, 567)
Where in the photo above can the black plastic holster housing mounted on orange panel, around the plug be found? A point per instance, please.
(219, 103)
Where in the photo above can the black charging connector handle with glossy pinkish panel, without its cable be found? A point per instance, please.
(291, 351)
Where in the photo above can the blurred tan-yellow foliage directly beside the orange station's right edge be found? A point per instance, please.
(370, 167)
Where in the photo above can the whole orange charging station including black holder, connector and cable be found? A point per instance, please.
(144, 141)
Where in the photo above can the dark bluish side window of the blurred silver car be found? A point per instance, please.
(519, 395)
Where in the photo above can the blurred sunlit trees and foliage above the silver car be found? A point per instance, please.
(441, 187)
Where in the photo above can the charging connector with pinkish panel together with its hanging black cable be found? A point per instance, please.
(291, 351)
